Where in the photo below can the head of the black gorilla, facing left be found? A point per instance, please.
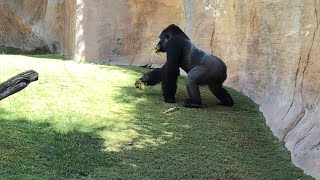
(169, 32)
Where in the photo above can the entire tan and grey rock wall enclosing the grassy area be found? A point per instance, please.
(271, 48)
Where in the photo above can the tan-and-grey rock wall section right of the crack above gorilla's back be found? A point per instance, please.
(272, 51)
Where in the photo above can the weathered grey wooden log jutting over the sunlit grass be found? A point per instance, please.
(17, 83)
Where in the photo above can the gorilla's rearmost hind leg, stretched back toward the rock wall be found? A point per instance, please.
(222, 94)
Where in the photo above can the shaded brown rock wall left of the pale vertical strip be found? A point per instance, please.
(30, 24)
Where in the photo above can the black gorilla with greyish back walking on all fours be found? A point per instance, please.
(202, 68)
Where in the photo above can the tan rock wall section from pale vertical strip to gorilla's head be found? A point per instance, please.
(123, 31)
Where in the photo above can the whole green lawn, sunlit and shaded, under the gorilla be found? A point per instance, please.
(85, 121)
